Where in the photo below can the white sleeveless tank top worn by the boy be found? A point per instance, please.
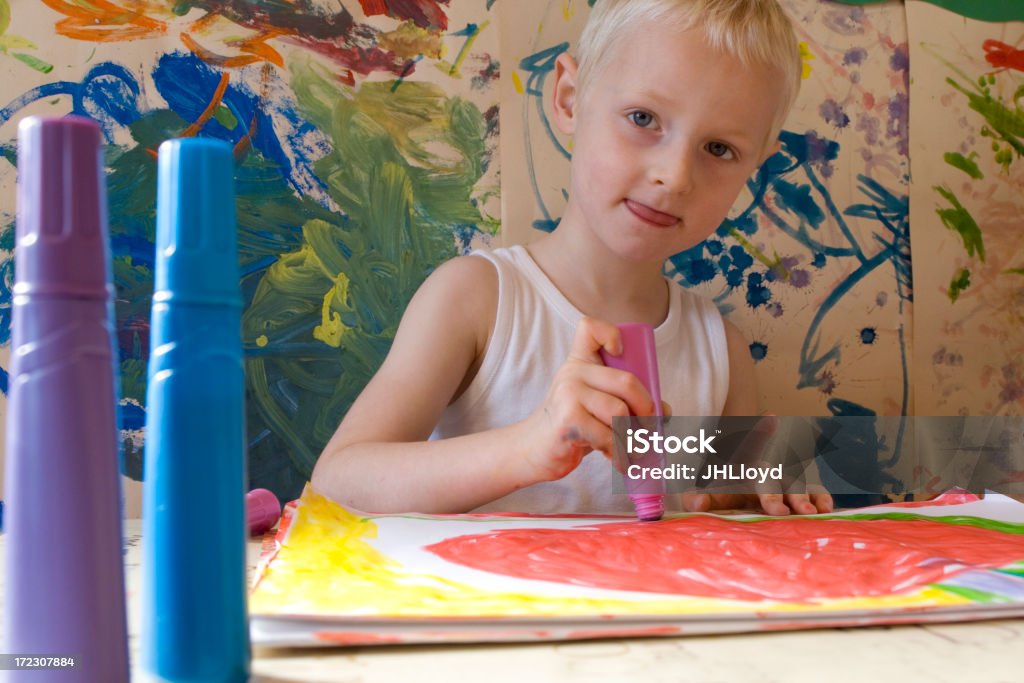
(534, 330)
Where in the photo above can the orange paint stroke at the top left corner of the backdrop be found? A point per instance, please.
(102, 21)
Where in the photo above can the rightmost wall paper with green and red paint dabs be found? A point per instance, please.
(968, 204)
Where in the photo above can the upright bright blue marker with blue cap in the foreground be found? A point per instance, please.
(195, 627)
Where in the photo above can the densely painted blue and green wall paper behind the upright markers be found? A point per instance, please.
(366, 145)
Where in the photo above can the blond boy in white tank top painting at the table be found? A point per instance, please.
(494, 396)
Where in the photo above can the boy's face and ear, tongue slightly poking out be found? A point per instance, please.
(666, 135)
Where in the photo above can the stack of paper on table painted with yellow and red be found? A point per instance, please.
(500, 577)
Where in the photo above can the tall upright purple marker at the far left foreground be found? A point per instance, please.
(65, 574)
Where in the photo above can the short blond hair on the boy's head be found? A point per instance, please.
(757, 32)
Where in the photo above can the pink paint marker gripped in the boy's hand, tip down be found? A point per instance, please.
(641, 358)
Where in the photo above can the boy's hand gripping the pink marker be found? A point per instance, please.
(576, 416)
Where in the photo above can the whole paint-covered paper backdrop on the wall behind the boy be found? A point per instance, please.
(366, 136)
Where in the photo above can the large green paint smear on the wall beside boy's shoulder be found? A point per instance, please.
(404, 172)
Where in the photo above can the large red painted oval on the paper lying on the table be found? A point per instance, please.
(794, 560)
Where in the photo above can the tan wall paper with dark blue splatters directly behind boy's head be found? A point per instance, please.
(814, 262)
